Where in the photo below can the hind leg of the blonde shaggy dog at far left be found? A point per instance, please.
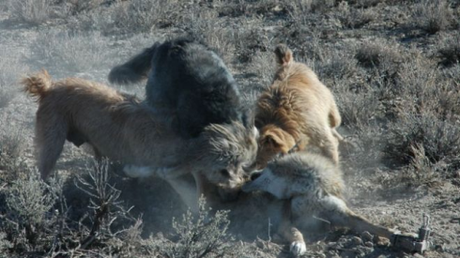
(50, 136)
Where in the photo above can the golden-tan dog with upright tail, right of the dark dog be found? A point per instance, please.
(296, 111)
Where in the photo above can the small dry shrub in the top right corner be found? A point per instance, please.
(433, 16)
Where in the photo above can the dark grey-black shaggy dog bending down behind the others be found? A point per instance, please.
(188, 79)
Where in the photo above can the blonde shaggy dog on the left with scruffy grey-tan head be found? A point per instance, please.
(121, 128)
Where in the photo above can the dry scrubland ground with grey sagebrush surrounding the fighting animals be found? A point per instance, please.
(393, 66)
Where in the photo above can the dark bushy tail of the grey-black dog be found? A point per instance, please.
(135, 70)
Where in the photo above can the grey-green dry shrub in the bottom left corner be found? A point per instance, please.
(29, 220)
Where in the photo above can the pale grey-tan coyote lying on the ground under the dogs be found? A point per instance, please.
(309, 185)
